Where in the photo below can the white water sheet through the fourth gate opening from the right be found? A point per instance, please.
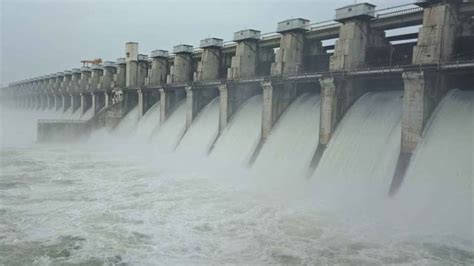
(241, 137)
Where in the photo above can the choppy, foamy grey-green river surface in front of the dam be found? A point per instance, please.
(103, 202)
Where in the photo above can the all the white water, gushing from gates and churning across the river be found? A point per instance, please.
(106, 202)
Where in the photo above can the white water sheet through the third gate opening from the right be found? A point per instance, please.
(287, 153)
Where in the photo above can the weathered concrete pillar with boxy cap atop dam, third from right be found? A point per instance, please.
(289, 58)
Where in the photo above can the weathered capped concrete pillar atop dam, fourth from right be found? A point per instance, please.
(244, 63)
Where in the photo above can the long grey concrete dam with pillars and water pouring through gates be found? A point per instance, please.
(286, 102)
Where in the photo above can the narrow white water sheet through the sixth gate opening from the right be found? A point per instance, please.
(169, 134)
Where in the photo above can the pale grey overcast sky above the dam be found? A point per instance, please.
(40, 37)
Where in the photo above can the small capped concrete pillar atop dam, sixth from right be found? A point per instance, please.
(182, 69)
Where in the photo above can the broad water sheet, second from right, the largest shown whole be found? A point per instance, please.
(360, 158)
